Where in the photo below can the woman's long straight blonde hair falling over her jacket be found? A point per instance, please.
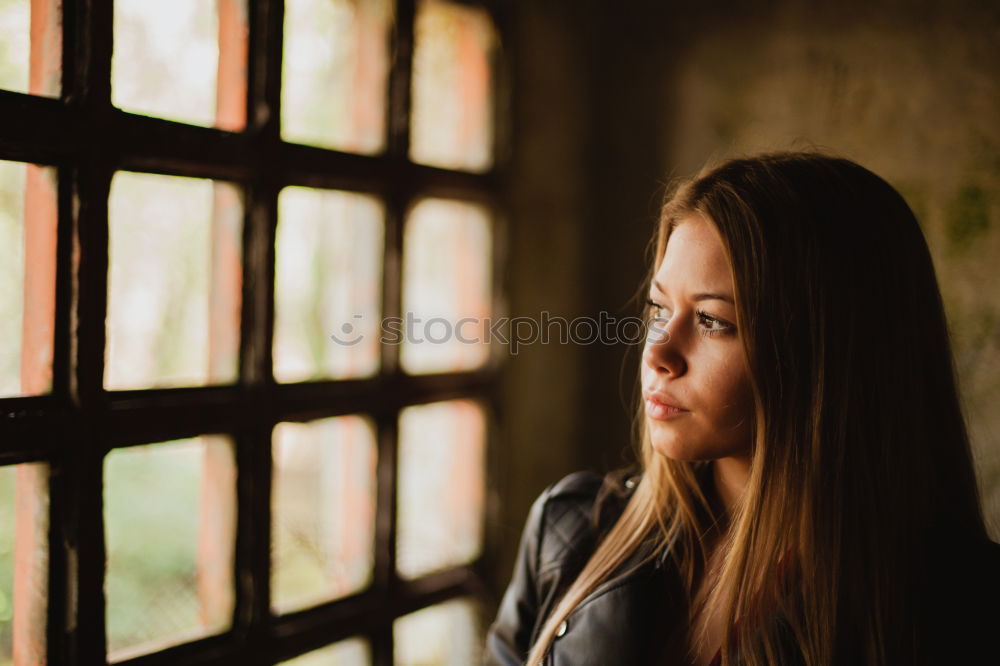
(860, 453)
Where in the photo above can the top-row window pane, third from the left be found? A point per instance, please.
(334, 69)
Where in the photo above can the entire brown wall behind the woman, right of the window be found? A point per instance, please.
(610, 101)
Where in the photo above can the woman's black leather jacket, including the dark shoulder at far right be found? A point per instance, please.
(630, 618)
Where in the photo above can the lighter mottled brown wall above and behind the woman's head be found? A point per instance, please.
(910, 93)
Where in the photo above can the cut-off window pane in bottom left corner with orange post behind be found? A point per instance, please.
(24, 562)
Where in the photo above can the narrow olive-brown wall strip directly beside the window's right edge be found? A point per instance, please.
(540, 422)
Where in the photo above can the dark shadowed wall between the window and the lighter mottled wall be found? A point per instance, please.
(582, 204)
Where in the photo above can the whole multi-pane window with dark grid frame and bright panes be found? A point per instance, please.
(247, 255)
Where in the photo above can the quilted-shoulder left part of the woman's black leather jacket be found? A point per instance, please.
(563, 528)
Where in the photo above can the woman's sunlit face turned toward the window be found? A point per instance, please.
(695, 384)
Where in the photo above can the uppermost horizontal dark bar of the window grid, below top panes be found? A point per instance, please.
(45, 131)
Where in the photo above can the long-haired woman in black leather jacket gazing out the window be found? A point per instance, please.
(806, 492)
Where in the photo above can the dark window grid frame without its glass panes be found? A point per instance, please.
(72, 428)
